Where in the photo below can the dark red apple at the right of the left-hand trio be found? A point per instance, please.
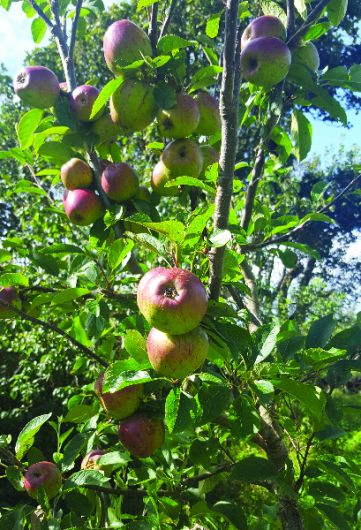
(119, 181)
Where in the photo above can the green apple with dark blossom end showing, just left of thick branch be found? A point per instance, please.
(182, 158)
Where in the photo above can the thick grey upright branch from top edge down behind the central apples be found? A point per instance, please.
(228, 107)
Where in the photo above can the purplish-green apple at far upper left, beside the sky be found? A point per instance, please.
(37, 86)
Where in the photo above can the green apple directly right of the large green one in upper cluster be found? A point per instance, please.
(181, 120)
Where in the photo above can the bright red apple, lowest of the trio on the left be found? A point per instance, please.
(82, 207)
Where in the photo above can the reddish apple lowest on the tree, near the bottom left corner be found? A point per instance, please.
(44, 475)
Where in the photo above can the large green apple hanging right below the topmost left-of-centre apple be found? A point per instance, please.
(133, 106)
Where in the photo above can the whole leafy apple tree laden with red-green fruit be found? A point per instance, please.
(195, 406)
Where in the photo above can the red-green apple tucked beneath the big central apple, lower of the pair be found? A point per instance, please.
(177, 356)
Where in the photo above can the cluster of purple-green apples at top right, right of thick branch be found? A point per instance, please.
(265, 57)
